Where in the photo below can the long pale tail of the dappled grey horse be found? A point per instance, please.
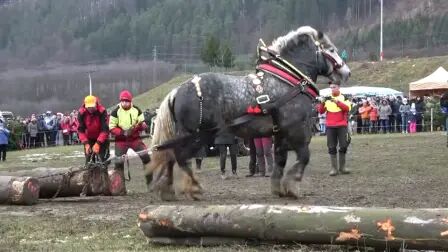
(164, 130)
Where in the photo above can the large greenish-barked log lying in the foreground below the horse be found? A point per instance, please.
(365, 227)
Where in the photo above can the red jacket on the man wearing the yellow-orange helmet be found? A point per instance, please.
(93, 126)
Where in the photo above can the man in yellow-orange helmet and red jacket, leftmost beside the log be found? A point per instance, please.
(93, 128)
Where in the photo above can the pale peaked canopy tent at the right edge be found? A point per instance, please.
(435, 83)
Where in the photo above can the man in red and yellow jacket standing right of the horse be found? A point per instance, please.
(337, 108)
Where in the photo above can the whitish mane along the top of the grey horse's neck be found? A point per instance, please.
(291, 39)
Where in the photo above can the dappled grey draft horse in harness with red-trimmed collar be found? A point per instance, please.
(277, 100)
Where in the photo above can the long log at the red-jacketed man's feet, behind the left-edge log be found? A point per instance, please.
(66, 182)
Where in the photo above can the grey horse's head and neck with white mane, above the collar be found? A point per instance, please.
(313, 53)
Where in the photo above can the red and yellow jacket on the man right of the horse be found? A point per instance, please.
(337, 112)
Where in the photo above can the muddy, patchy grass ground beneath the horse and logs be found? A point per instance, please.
(390, 170)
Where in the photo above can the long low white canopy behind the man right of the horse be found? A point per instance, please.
(358, 91)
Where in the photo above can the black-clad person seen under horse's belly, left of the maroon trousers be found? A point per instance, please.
(223, 141)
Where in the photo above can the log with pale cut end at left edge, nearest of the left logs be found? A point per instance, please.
(18, 190)
